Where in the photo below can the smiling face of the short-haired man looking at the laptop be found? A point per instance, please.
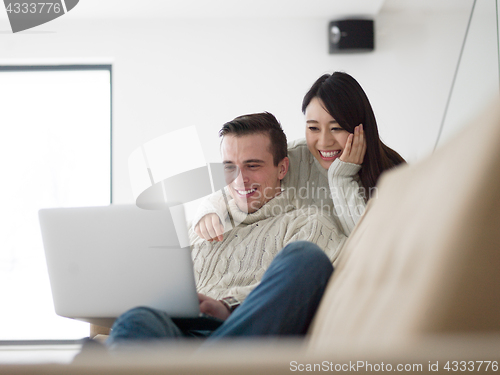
(252, 177)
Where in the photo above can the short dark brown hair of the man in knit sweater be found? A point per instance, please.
(259, 123)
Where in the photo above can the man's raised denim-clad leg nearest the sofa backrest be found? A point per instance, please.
(285, 301)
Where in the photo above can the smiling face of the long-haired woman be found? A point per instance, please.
(326, 139)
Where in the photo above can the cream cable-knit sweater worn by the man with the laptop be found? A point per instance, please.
(236, 265)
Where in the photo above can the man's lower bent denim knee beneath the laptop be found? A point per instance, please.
(141, 324)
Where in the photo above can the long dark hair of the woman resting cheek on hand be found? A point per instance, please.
(347, 103)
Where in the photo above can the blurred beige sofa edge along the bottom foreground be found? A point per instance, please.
(279, 357)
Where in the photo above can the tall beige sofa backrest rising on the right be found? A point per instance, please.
(425, 257)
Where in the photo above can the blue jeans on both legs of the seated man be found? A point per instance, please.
(283, 304)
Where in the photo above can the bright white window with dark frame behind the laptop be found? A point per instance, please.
(55, 151)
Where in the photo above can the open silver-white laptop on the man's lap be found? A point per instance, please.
(103, 261)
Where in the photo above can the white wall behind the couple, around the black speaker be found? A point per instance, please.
(173, 73)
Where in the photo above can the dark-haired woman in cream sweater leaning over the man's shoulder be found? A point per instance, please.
(338, 164)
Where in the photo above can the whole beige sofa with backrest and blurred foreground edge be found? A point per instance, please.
(418, 283)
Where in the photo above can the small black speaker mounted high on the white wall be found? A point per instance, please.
(353, 35)
